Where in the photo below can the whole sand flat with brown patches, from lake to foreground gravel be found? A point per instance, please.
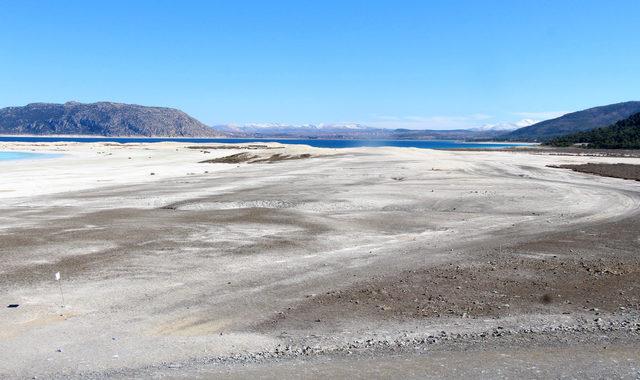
(168, 262)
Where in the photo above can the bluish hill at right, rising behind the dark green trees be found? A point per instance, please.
(574, 122)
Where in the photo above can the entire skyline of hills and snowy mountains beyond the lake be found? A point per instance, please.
(117, 119)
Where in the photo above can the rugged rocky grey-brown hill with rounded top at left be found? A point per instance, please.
(102, 118)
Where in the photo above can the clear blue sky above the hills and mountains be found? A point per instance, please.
(418, 64)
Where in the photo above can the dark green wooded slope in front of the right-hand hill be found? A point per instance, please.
(625, 134)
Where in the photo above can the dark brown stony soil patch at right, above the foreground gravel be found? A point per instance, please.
(596, 269)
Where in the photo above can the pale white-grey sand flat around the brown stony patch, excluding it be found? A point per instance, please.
(184, 264)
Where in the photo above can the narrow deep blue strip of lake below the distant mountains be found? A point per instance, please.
(319, 143)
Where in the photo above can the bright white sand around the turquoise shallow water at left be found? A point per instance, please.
(93, 165)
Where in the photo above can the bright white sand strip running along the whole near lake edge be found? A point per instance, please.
(94, 165)
